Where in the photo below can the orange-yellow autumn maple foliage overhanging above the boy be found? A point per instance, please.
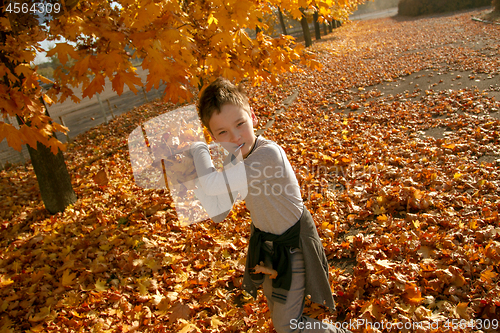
(180, 43)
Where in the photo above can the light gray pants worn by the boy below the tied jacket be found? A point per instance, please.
(288, 317)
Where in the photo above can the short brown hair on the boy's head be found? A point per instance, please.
(217, 94)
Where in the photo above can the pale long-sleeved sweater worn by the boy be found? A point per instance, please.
(264, 179)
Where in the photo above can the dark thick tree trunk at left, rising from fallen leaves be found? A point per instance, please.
(53, 178)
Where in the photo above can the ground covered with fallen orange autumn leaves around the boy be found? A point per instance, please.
(409, 220)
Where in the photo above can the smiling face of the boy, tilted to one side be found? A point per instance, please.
(232, 127)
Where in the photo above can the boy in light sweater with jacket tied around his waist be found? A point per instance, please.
(283, 234)
